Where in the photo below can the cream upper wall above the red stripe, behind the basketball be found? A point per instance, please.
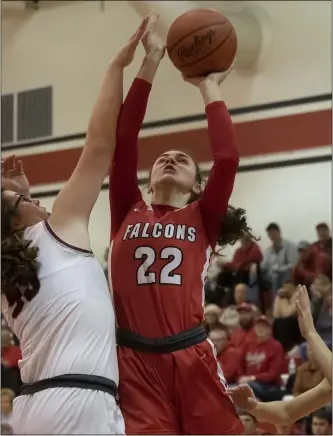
(68, 46)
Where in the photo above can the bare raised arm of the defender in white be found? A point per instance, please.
(73, 205)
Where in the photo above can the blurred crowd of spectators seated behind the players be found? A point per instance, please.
(251, 317)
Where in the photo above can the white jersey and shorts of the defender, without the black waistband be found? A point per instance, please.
(67, 328)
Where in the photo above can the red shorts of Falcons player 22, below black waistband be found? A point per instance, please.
(176, 393)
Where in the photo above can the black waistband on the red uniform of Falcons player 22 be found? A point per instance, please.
(168, 344)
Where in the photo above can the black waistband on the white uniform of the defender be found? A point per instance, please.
(81, 381)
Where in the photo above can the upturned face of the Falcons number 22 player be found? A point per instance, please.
(174, 169)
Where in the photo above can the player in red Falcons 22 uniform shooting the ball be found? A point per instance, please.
(170, 381)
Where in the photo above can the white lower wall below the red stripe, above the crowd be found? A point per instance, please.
(296, 197)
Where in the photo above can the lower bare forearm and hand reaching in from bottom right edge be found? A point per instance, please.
(282, 412)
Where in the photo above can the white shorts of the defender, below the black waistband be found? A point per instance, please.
(67, 411)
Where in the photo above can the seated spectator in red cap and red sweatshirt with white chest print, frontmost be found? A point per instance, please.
(261, 362)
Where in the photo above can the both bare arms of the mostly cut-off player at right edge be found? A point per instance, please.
(288, 412)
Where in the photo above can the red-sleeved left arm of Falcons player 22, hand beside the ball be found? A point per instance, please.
(123, 189)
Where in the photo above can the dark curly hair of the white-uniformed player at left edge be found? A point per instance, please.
(19, 266)
